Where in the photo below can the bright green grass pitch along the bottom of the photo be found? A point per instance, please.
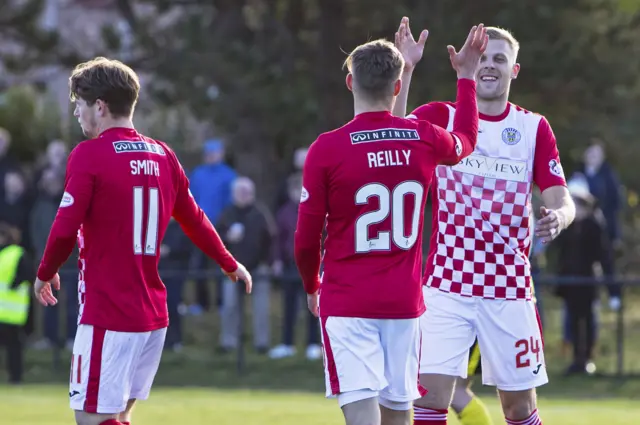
(35, 405)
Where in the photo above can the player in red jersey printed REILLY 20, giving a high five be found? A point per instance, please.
(368, 180)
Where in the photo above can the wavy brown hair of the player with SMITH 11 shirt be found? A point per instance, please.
(108, 80)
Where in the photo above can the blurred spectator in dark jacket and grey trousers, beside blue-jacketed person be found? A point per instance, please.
(248, 231)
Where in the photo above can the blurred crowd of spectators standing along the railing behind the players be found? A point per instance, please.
(260, 235)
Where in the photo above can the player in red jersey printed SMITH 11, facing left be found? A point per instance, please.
(121, 190)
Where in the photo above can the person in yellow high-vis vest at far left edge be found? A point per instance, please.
(15, 276)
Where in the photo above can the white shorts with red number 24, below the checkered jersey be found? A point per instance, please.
(508, 332)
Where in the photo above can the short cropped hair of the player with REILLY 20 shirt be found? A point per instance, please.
(375, 66)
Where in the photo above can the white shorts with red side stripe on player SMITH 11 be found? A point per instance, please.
(109, 368)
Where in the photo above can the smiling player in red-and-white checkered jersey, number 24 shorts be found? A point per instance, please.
(478, 278)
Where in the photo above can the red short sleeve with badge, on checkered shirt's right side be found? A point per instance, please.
(547, 169)
